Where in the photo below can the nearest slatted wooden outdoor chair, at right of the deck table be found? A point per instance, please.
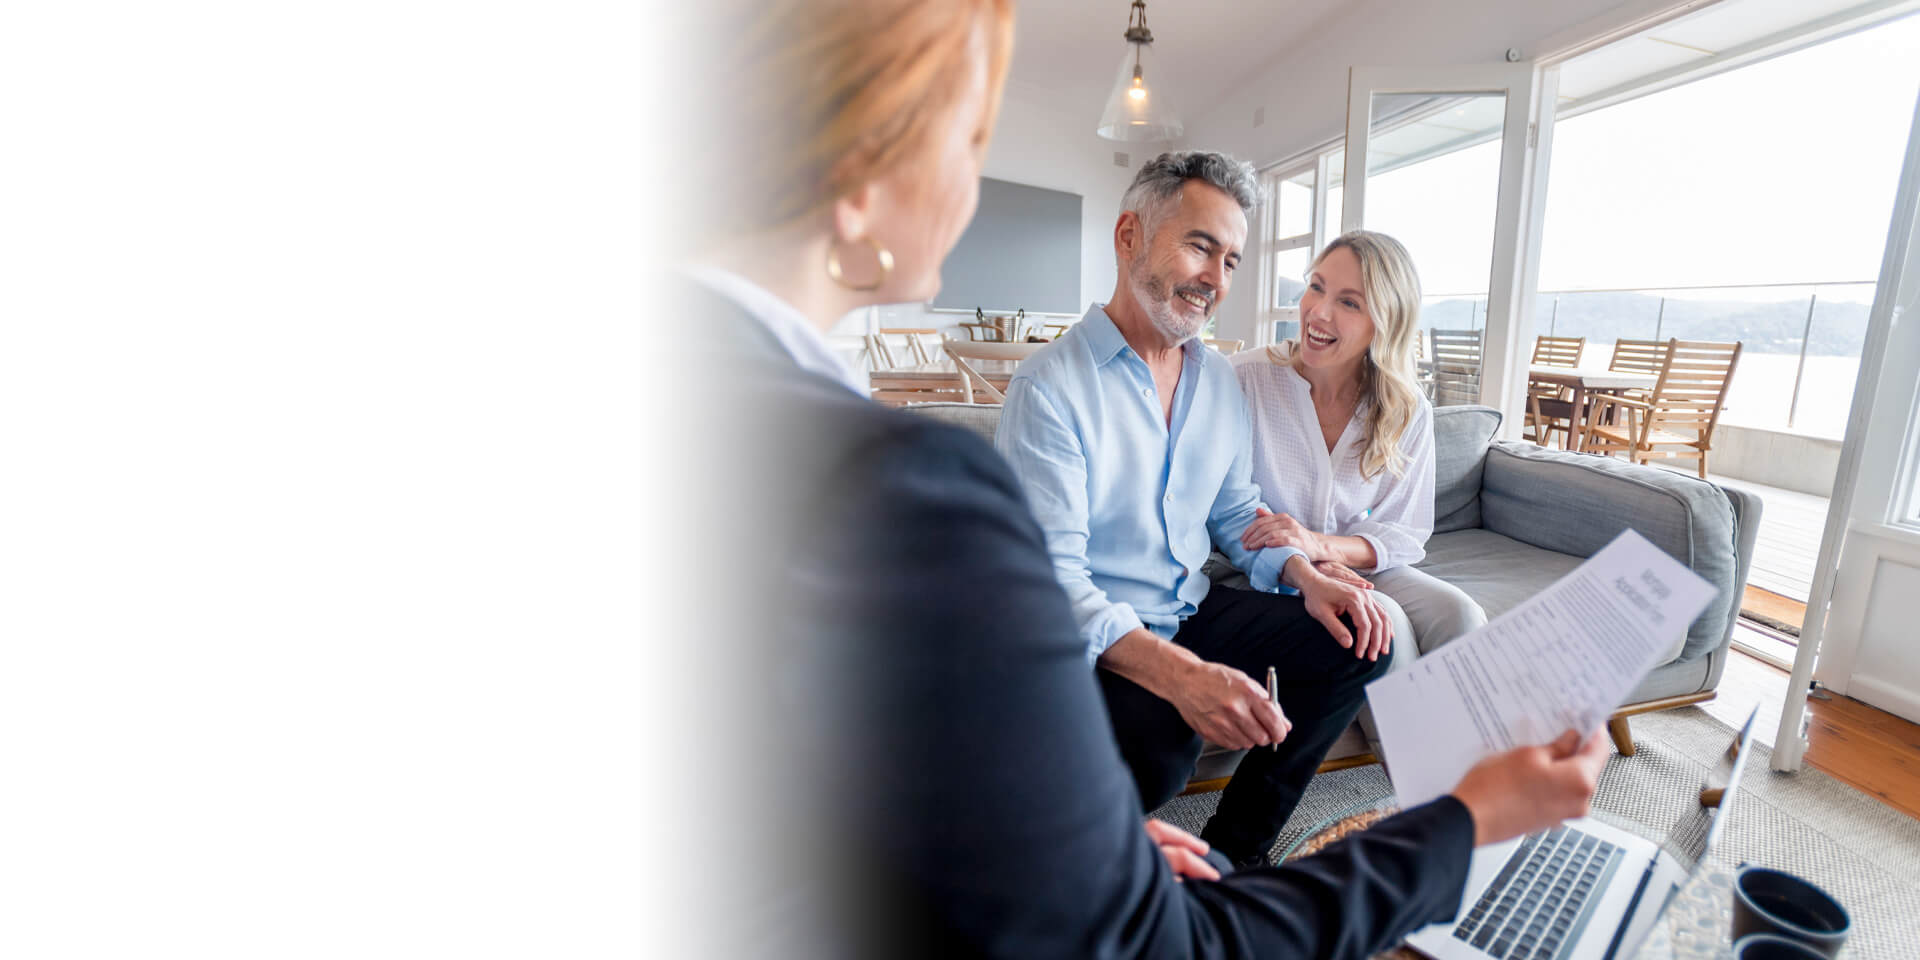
(1679, 416)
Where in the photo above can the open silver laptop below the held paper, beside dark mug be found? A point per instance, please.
(1583, 890)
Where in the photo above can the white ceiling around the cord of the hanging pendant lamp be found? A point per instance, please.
(1067, 53)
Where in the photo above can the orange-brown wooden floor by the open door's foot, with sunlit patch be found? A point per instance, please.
(1873, 752)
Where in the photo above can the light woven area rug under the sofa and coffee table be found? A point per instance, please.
(1861, 852)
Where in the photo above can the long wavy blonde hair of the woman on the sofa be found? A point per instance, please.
(1387, 381)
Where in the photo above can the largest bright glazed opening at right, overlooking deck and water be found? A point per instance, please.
(1746, 206)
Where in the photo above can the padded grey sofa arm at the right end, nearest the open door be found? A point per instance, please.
(1575, 504)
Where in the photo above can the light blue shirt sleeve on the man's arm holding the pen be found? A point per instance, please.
(1051, 464)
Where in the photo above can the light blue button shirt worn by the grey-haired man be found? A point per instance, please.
(1132, 506)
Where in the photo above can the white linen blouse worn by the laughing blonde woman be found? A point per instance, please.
(1324, 491)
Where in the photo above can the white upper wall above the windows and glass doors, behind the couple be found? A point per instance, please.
(1305, 89)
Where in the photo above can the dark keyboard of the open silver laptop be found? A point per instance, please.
(1535, 907)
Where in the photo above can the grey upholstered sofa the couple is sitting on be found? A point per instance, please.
(1514, 517)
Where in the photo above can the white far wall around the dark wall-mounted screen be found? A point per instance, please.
(1038, 145)
